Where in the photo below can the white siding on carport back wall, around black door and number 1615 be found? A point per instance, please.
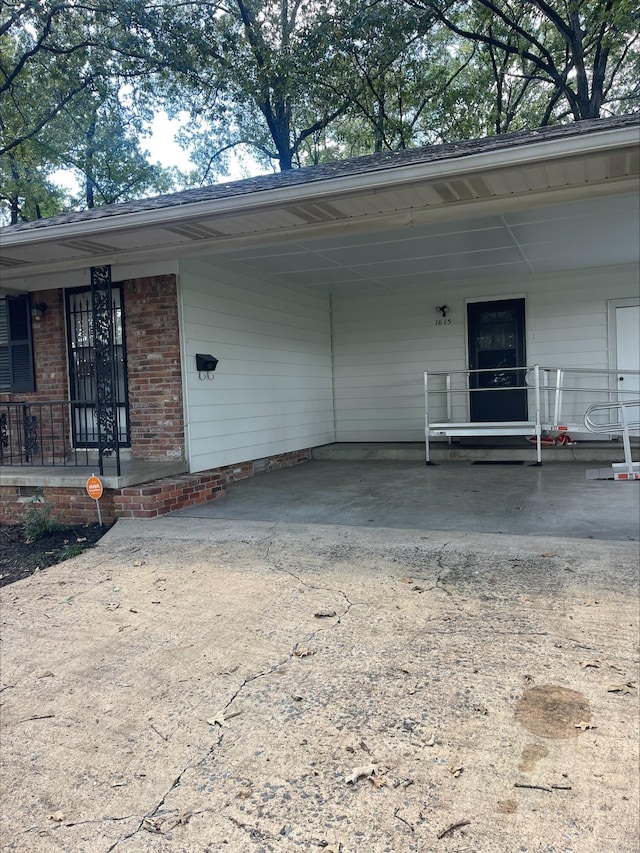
(383, 341)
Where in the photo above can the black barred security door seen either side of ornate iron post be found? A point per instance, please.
(82, 367)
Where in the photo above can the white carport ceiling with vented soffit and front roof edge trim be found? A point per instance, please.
(516, 212)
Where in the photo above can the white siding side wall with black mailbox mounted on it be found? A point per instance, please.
(272, 391)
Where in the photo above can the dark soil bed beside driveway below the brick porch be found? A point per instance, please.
(20, 558)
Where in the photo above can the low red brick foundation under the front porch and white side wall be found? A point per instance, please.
(148, 500)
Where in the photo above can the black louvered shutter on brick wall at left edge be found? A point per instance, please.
(16, 349)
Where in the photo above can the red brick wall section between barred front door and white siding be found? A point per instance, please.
(155, 376)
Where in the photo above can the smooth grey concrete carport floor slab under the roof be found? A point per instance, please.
(552, 500)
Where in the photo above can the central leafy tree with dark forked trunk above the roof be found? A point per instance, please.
(272, 75)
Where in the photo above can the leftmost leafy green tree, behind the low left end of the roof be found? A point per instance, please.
(67, 103)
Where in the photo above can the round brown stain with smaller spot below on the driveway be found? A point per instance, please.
(552, 711)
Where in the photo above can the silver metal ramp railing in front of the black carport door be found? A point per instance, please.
(558, 400)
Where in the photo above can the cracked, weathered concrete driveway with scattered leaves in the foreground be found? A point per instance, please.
(200, 685)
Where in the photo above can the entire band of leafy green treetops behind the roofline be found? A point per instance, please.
(291, 82)
